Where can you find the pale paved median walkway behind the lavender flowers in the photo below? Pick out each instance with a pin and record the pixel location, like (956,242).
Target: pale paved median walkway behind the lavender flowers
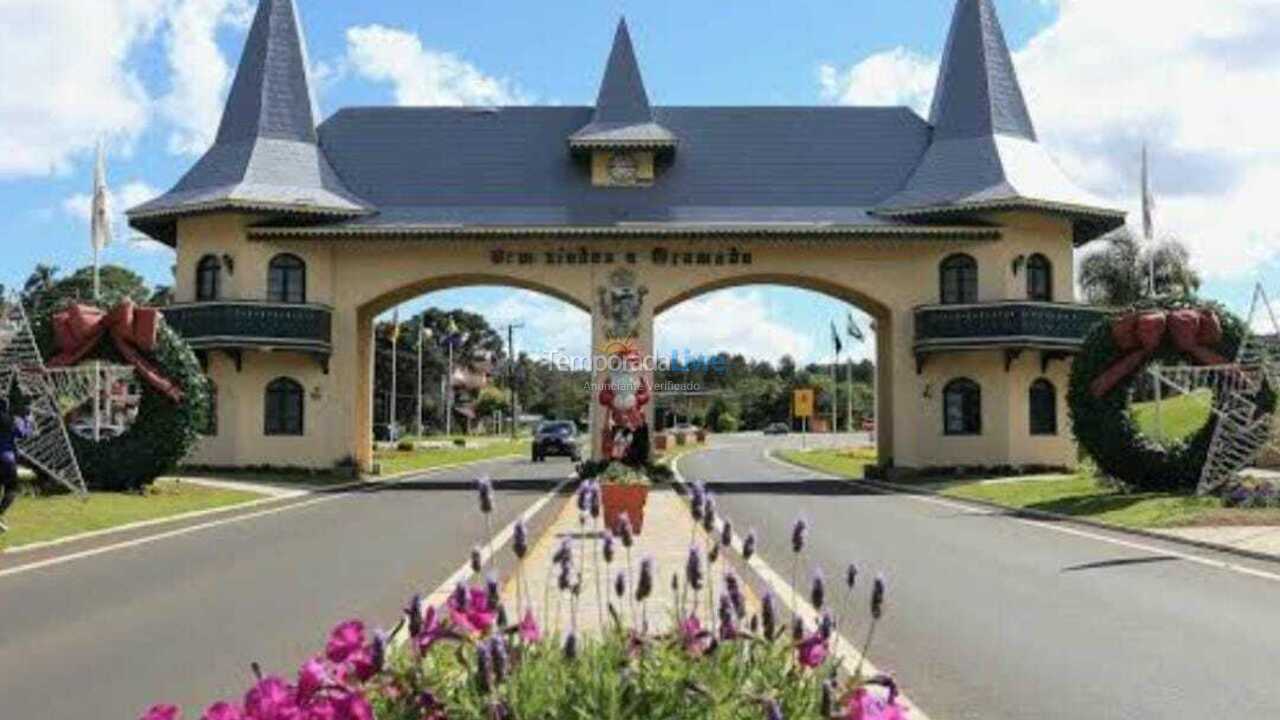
(669,532)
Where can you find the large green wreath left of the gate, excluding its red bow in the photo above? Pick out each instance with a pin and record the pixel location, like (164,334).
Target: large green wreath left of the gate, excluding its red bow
(163,432)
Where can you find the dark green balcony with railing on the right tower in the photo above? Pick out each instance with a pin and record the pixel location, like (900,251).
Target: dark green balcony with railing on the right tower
(1013,326)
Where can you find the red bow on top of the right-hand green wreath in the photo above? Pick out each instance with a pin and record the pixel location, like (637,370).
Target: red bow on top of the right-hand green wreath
(1139,335)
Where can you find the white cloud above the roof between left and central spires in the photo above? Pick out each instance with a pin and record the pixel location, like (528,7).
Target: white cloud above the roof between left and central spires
(422,76)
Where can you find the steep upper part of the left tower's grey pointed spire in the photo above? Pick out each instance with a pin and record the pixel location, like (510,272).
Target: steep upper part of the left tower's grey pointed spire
(271,97)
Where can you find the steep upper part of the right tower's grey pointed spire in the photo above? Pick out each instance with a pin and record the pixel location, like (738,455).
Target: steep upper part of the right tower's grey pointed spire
(979,92)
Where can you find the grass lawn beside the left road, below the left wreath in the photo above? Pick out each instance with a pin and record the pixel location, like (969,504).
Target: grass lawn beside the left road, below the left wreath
(38,520)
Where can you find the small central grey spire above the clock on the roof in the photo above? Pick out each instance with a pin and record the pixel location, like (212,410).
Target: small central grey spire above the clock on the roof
(623,113)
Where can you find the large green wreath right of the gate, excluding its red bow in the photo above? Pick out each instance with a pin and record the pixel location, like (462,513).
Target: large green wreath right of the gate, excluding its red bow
(1105,429)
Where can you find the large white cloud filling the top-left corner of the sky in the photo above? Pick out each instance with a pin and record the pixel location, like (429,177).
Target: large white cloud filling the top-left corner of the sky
(67,81)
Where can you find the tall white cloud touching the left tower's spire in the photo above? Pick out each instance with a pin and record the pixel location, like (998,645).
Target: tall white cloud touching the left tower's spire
(202,75)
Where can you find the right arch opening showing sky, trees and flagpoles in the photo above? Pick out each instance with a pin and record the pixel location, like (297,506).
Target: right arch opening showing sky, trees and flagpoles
(738,349)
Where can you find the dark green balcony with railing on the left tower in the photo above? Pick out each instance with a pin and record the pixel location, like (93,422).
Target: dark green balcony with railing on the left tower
(237,325)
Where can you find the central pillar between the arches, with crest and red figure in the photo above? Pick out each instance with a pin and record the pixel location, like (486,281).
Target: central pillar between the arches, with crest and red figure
(623,377)
